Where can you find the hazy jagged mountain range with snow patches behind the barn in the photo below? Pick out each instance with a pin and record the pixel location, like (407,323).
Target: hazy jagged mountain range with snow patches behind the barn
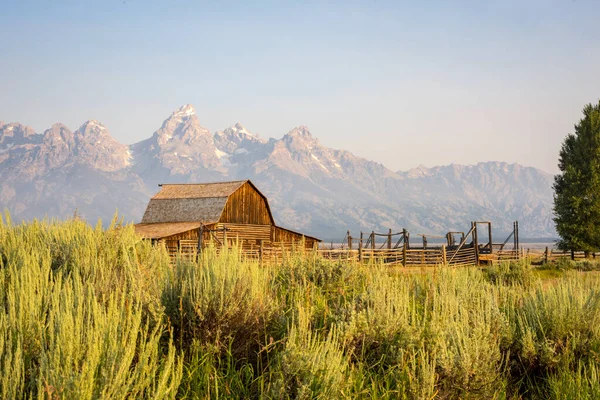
(311,188)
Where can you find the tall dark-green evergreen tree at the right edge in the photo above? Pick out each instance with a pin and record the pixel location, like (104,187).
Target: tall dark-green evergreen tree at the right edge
(577,187)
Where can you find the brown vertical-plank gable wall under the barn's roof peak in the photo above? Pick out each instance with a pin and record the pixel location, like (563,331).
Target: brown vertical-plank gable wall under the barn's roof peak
(246,206)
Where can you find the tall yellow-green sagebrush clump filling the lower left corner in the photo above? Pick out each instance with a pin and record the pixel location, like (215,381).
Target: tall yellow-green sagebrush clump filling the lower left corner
(62,334)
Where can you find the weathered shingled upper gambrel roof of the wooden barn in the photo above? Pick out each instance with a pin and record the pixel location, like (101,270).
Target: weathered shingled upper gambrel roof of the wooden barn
(195,202)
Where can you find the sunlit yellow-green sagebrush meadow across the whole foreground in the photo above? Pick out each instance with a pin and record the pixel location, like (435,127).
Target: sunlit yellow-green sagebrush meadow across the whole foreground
(88,312)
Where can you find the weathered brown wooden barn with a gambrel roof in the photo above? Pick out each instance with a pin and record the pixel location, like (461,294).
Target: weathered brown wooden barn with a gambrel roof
(189,216)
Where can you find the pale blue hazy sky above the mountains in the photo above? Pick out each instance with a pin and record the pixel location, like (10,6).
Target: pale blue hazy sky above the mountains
(402,83)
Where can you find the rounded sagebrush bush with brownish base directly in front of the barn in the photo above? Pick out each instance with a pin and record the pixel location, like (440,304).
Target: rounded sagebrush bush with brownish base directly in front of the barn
(220,300)
